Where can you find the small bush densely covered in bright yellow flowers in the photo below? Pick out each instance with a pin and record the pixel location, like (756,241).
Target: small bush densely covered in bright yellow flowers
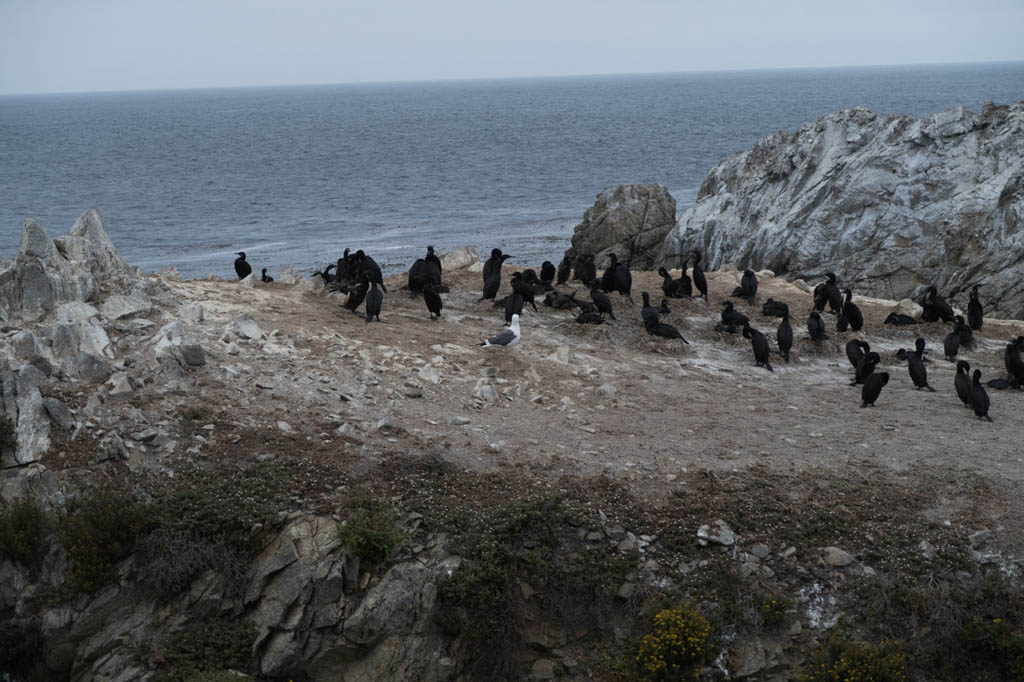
(678,644)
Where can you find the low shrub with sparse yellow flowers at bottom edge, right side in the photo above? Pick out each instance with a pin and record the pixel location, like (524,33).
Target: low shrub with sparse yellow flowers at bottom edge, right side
(841,660)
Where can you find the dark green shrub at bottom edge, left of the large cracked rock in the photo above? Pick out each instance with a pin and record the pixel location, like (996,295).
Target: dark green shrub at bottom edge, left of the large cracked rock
(205,651)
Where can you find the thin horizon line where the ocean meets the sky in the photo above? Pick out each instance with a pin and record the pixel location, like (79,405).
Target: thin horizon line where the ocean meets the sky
(505,78)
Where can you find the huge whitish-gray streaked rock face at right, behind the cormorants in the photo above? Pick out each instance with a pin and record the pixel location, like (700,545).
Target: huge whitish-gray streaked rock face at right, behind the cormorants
(889,204)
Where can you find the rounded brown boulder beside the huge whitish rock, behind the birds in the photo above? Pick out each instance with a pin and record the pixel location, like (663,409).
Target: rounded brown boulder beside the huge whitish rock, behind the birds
(630,221)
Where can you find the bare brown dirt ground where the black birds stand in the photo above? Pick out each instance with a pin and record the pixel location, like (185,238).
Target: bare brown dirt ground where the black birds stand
(575,401)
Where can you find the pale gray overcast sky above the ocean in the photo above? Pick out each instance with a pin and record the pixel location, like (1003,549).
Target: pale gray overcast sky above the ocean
(84,46)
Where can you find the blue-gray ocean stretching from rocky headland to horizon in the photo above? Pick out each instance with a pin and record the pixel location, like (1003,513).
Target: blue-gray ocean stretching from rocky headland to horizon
(293,176)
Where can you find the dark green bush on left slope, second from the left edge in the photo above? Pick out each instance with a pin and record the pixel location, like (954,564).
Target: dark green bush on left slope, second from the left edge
(100,535)
